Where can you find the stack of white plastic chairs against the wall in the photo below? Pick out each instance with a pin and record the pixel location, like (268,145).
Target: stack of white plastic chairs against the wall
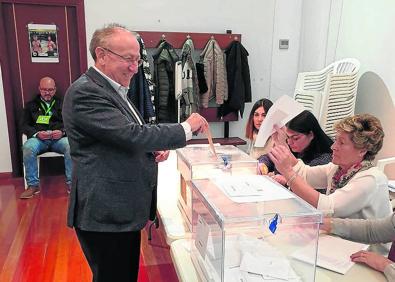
(330,93)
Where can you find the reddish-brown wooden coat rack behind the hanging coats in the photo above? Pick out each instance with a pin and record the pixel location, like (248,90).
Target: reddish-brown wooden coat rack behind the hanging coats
(177,39)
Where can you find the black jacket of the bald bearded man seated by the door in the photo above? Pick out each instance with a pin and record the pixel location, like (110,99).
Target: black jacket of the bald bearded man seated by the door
(31,112)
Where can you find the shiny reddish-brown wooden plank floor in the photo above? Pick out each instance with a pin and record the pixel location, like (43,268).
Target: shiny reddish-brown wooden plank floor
(36,244)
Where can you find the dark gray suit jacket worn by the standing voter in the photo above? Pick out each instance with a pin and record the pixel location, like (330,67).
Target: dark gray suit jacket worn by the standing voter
(114,170)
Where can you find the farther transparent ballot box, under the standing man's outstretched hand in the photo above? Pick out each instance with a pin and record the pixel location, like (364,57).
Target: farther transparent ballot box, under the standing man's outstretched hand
(197,162)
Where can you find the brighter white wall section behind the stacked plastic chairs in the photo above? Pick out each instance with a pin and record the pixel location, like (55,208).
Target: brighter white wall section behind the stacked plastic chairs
(362,29)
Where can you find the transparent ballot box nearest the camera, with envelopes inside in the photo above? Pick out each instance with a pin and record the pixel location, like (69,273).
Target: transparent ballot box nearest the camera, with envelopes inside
(249,228)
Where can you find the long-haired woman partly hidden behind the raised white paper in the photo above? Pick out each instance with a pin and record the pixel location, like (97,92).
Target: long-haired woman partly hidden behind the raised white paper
(255,119)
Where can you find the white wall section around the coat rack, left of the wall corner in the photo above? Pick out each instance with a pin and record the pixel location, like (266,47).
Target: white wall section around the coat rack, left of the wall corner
(254,21)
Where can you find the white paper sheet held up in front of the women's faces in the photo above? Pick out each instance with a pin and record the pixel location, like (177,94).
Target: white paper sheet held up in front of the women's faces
(282,111)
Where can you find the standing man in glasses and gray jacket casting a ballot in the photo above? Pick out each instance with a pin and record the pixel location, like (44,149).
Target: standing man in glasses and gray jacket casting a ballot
(115,157)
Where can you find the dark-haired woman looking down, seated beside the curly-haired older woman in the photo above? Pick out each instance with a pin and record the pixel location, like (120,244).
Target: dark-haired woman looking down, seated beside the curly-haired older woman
(307,141)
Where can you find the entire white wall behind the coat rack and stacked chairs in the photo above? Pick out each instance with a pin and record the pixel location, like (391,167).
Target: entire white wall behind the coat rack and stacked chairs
(319,32)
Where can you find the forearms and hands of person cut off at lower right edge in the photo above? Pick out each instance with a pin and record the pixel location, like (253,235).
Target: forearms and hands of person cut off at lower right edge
(370,231)
